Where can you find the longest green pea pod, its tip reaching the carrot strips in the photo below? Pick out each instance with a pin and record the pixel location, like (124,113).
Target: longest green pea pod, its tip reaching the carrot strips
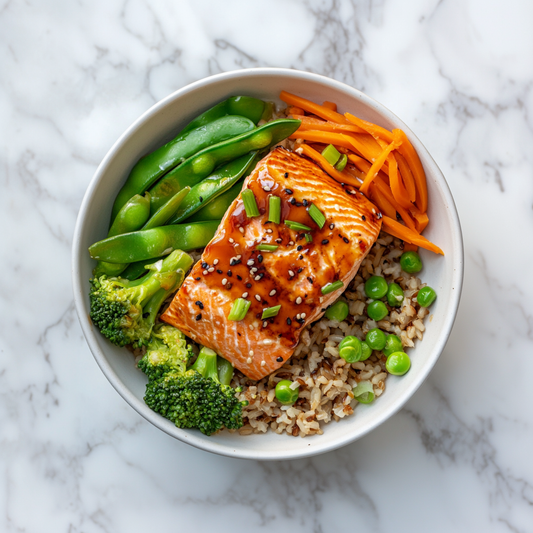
(199,166)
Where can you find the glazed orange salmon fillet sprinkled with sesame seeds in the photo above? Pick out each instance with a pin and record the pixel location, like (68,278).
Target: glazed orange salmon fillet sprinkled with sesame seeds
(292,276)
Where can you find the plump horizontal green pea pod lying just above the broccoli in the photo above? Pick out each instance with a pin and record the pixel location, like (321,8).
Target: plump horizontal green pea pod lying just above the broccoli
(147,244)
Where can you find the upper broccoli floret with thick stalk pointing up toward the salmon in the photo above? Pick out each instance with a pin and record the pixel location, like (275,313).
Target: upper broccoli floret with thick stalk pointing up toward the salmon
(125,311)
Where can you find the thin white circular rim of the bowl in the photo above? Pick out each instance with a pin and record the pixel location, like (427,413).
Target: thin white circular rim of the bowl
(187,436)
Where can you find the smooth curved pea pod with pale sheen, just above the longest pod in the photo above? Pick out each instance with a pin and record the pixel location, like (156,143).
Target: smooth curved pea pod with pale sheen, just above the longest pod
(154,165)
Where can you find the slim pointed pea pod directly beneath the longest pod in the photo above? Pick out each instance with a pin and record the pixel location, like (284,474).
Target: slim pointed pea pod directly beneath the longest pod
(216,184)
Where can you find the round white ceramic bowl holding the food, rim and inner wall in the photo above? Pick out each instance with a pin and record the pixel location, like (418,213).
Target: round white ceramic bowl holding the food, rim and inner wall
(158,125)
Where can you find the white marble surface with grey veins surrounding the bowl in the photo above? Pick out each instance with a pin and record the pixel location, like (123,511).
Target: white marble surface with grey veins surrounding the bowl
(75,457)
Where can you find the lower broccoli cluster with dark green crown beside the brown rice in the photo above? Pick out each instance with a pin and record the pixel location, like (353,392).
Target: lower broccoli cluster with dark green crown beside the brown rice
(191,397)
